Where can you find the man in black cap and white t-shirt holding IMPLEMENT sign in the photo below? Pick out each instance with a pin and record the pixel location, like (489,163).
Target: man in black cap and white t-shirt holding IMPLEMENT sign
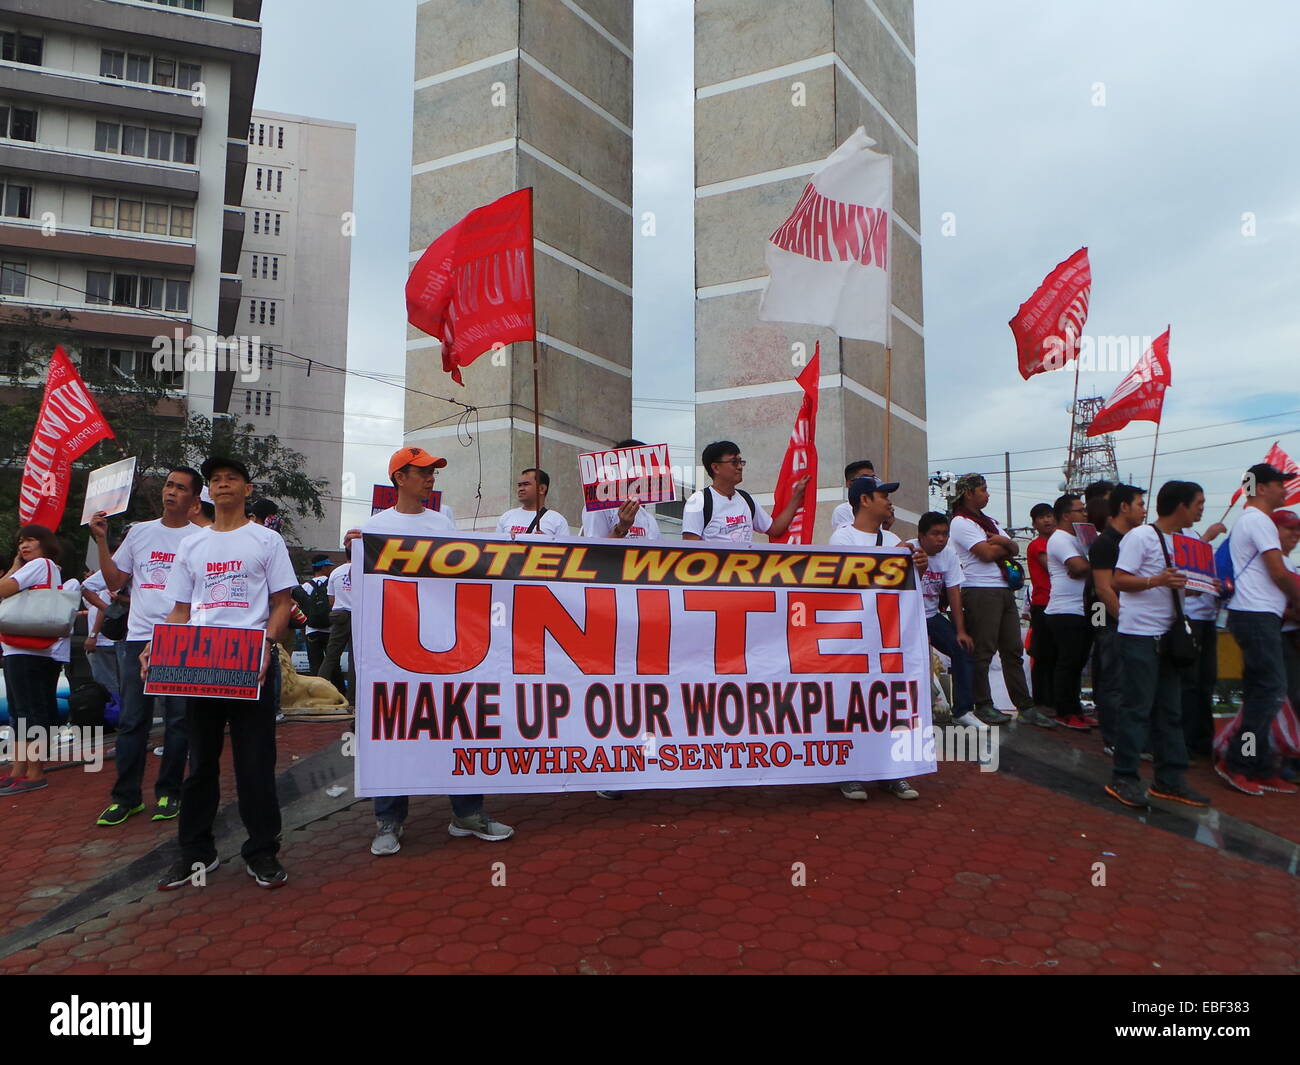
(235,574)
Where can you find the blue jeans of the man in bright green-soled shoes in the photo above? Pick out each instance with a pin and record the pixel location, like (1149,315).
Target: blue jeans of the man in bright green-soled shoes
(133,733)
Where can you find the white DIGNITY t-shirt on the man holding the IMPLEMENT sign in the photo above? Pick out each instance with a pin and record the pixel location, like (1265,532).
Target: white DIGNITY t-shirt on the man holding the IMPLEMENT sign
(228,578)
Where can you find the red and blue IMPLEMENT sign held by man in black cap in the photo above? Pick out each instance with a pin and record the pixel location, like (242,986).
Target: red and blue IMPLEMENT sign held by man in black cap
(206,661)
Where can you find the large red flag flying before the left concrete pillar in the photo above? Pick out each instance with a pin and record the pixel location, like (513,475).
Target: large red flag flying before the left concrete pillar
(474,287)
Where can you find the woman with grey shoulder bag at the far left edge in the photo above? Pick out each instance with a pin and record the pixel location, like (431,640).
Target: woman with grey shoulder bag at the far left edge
(32,664)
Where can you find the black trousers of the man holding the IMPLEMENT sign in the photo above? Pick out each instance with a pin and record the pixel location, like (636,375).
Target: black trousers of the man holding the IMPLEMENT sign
(253,743)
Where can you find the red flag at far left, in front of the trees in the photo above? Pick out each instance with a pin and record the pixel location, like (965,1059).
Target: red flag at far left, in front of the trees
(70,425)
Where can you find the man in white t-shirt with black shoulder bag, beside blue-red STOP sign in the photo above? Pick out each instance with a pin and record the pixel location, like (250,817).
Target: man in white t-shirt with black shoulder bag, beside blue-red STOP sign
(1151,704)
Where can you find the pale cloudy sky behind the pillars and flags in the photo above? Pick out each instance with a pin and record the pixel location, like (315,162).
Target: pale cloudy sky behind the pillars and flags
(1156,135)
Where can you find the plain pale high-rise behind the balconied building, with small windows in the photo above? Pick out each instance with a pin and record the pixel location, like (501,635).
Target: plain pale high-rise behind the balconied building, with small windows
(297,252)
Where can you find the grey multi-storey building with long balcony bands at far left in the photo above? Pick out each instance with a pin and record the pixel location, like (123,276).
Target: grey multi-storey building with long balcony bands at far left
(123,153)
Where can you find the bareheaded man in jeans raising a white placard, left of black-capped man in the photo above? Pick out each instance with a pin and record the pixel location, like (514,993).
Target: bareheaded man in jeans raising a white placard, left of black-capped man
(146,557)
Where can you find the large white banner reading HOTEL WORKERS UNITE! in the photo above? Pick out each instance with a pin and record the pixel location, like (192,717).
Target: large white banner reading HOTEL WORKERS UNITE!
(501,666)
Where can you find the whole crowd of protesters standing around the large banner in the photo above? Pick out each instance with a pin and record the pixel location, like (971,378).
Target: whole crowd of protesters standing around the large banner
(1103,591)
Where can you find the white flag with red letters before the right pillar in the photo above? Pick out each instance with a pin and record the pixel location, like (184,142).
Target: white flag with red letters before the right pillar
(830,261)
